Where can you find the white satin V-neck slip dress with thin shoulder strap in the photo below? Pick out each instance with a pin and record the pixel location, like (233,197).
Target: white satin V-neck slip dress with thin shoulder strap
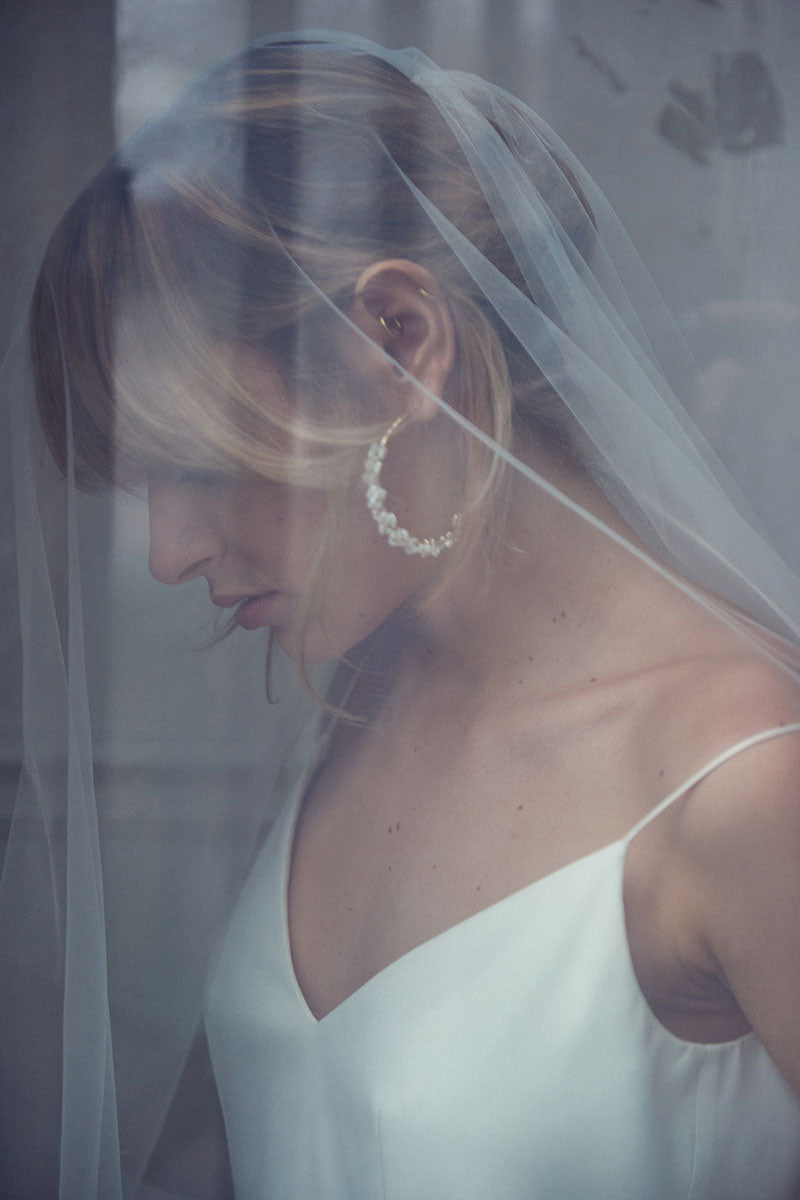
(510,1058)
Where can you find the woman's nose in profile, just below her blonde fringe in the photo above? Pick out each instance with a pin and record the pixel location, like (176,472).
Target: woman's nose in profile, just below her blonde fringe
(184,543)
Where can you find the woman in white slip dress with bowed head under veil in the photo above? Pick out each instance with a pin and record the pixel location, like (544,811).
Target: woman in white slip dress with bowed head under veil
(526,925)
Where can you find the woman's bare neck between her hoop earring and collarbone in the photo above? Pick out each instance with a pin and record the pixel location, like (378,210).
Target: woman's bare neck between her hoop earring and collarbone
(552,601)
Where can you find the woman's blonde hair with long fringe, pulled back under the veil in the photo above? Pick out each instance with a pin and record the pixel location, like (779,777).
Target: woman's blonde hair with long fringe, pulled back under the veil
(244,217)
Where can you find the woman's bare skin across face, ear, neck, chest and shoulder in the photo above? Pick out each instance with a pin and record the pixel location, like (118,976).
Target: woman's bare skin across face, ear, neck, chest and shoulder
(530,721)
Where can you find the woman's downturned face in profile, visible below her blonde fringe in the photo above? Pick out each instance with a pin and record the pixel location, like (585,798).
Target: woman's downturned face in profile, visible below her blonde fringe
(255,543)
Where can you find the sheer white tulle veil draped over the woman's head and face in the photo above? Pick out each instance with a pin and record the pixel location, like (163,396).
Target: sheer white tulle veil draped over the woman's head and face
(239,225)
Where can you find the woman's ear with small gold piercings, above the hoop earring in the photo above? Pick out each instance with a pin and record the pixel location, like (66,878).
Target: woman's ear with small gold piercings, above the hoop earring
(400,307)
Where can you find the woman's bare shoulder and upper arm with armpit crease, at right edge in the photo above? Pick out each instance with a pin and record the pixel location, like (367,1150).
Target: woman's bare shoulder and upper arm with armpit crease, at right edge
(718,877)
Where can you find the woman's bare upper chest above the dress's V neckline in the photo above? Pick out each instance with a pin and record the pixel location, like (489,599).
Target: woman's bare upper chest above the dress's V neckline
(394,848)
